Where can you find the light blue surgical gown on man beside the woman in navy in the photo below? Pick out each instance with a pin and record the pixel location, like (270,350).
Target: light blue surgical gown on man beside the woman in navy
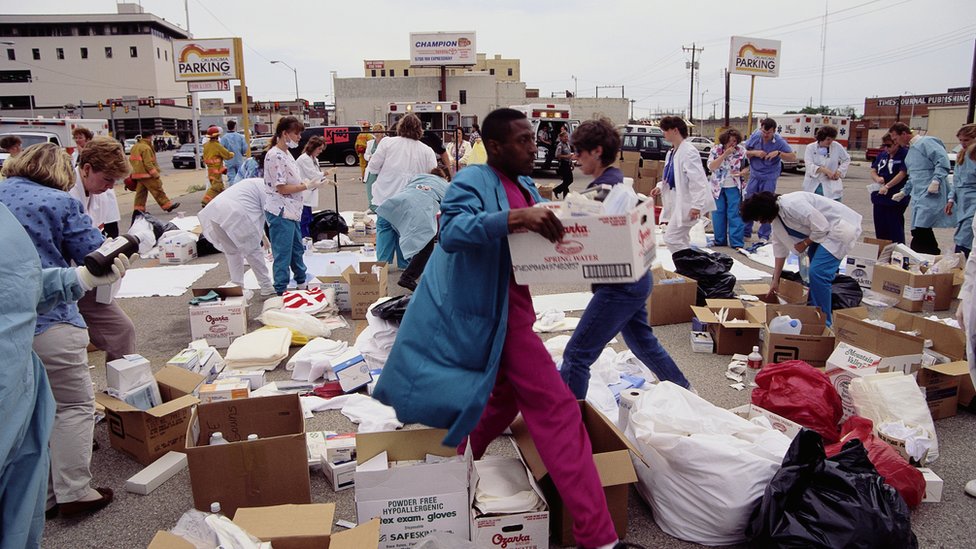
(926,162)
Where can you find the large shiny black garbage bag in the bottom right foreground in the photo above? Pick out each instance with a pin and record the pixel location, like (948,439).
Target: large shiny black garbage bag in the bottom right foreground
(815,502)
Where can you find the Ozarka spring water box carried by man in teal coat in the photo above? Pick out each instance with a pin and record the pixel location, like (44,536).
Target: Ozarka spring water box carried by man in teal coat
(594,249)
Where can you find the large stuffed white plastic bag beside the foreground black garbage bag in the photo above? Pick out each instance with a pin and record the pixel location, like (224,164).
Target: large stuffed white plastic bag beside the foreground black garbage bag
(706,467)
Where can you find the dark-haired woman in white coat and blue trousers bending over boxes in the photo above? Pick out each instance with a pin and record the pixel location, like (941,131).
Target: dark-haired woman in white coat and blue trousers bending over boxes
(806,222)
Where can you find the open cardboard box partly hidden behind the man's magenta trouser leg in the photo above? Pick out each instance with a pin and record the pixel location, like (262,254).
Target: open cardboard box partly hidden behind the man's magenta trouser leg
(611,455)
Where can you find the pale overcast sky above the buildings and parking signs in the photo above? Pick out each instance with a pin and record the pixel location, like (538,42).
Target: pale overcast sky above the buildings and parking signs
(873,48)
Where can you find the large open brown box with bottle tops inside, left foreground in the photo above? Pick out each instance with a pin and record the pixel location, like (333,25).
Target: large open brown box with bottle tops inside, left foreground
(272,470)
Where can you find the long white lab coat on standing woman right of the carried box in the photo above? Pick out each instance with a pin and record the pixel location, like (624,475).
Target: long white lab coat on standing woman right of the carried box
(691,191)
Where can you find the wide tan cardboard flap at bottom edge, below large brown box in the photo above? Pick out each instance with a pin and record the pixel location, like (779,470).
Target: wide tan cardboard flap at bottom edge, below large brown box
(312,520)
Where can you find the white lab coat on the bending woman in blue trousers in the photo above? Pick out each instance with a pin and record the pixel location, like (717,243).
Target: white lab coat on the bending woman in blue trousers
(825,221)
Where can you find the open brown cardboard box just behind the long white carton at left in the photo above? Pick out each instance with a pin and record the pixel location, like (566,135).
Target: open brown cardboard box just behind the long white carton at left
(145,436)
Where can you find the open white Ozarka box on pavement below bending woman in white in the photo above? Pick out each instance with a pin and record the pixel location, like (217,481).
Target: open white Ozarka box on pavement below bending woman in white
(222,320)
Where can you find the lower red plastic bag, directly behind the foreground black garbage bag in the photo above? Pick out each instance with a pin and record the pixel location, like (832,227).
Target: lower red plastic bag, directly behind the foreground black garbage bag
(897,472)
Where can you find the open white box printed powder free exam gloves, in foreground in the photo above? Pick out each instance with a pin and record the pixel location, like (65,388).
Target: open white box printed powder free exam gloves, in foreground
(413,484)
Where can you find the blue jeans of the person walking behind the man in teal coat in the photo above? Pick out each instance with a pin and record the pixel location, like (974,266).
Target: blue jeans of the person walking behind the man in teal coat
(616,308)
